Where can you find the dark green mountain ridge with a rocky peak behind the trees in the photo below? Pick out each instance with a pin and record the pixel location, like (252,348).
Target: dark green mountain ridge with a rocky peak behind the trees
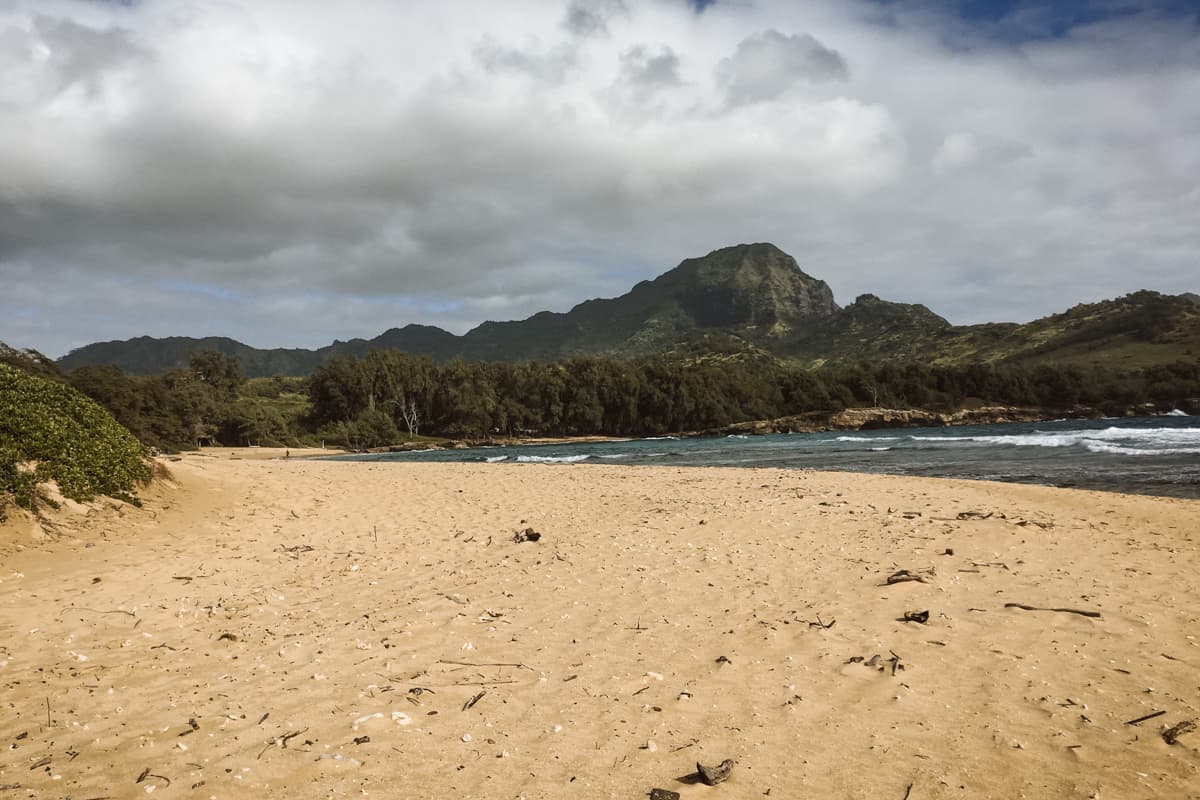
(752,298)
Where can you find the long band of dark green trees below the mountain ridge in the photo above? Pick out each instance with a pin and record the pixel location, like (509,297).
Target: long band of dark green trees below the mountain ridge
(388,396)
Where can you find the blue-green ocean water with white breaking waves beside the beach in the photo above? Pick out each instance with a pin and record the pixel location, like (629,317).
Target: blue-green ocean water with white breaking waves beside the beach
(1156,455)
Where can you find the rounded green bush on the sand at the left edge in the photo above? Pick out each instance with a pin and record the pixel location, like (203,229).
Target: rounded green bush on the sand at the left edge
(51,432)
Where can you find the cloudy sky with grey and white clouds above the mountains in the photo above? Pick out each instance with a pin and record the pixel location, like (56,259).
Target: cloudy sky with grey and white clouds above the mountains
(291,172)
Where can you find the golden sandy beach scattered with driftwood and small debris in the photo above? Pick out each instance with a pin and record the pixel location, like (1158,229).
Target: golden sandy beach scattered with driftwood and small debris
(305,629)
